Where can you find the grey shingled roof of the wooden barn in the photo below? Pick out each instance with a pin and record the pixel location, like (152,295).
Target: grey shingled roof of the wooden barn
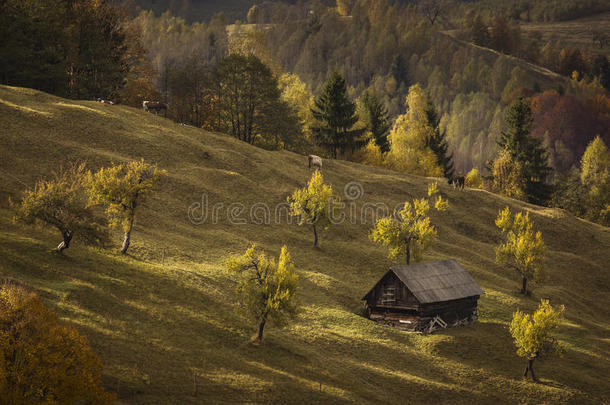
(443,280)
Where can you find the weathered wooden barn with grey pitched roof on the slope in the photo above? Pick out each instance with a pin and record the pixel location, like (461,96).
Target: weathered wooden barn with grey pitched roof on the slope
(424,296)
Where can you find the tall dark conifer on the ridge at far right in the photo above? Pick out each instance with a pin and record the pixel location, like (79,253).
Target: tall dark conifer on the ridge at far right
(527,150)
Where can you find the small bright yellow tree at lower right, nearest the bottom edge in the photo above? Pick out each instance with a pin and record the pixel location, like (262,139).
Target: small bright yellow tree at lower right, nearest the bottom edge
(534,334)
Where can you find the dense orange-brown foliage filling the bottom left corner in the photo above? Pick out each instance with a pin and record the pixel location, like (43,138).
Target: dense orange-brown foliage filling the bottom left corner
(42,360)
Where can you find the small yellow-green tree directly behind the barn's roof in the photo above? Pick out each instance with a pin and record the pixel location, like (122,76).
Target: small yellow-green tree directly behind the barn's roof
(409,230)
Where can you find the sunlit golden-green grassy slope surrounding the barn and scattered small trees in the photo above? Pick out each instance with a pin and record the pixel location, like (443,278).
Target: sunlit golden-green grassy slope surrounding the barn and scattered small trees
(170,334)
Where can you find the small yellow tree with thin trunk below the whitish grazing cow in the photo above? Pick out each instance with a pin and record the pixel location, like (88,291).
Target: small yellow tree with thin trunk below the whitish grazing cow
(312,203)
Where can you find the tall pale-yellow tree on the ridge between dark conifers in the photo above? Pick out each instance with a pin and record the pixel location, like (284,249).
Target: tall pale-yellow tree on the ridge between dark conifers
(408,150)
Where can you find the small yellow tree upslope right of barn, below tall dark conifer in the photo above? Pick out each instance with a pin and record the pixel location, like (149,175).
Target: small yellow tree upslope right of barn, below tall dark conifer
(521,247)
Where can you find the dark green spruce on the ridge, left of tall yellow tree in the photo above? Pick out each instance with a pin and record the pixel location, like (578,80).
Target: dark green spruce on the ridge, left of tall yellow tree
(336,115)
